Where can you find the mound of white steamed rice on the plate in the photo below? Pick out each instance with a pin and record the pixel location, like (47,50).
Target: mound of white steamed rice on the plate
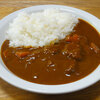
(41,28)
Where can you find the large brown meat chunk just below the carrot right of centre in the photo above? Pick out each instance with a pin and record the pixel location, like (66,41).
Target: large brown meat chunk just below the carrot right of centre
(72,50)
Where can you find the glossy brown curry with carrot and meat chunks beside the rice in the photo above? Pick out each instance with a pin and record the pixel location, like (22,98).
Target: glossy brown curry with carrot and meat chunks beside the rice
(69,60)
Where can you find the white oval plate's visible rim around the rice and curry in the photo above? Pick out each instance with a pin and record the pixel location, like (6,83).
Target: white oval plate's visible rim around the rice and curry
(48,89)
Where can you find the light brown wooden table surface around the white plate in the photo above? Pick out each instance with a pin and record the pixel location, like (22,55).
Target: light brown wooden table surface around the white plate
(8,92)
